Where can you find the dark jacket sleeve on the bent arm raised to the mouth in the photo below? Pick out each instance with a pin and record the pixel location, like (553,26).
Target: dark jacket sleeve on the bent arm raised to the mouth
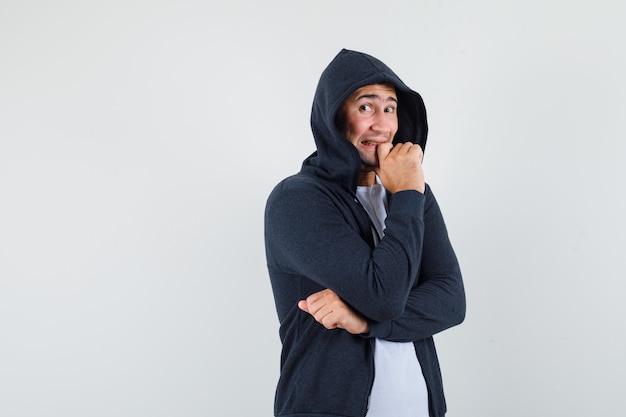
(311,233)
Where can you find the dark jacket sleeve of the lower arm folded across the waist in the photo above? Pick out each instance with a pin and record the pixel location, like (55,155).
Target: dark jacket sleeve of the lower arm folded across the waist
(437,301)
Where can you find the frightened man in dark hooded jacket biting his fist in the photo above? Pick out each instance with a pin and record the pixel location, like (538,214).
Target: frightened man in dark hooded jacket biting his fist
(361,266)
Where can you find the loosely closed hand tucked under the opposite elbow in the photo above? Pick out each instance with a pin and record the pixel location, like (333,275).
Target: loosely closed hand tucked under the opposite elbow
(330,311)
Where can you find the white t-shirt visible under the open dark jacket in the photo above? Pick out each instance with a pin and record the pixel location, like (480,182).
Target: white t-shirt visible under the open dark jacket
(399,388)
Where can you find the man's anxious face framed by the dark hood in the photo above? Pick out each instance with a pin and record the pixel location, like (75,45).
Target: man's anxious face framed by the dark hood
(368,118)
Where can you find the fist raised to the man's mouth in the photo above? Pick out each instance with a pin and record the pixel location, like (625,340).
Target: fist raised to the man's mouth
(400,167)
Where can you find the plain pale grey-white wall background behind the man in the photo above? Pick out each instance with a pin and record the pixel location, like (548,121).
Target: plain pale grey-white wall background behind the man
(140,139)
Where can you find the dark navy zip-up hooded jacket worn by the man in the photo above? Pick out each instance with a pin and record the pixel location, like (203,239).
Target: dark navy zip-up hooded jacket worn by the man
(318,236)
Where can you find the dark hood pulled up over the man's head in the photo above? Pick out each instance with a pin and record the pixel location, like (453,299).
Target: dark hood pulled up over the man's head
(336,159)
